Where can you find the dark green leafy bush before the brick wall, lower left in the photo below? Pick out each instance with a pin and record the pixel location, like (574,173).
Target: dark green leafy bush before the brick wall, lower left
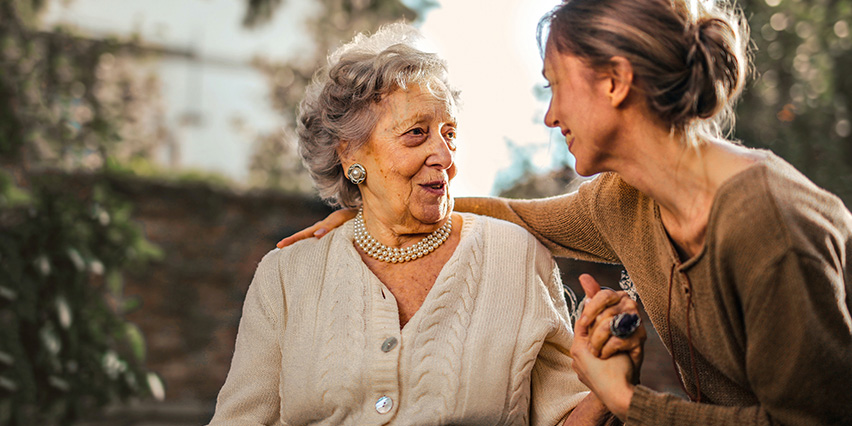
(65,347)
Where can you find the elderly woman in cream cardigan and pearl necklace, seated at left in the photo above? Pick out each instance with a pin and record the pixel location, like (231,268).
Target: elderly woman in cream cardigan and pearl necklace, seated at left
(408,314)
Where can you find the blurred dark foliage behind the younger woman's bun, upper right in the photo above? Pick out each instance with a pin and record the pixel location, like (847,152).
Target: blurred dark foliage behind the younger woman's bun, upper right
(799,104)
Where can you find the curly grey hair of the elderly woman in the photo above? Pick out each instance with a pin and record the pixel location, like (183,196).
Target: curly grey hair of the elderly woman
(339,102)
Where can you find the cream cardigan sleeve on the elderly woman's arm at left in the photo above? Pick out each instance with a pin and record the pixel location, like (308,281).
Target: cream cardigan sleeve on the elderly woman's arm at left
(250,395)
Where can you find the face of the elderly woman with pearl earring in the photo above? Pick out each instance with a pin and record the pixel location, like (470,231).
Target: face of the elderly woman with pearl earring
(409,159)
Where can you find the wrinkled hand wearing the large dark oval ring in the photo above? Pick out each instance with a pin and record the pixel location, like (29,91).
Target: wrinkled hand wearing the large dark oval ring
(600,307)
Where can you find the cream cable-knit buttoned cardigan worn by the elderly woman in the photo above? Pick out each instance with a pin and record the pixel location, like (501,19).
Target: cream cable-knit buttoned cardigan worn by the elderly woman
(489,345)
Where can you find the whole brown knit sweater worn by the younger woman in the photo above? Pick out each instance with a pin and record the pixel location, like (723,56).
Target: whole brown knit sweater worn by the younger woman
(770,292)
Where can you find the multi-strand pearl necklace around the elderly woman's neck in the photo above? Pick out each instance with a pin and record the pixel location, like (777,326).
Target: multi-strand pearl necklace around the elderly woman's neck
(383,253)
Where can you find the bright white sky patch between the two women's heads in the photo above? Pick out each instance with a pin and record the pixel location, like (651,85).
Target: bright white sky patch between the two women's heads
(494,60)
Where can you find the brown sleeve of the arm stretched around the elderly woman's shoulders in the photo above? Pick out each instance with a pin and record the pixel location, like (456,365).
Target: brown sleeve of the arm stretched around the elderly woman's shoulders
(564,224)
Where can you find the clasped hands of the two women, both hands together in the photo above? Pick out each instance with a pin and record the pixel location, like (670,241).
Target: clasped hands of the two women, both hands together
(609,366)
